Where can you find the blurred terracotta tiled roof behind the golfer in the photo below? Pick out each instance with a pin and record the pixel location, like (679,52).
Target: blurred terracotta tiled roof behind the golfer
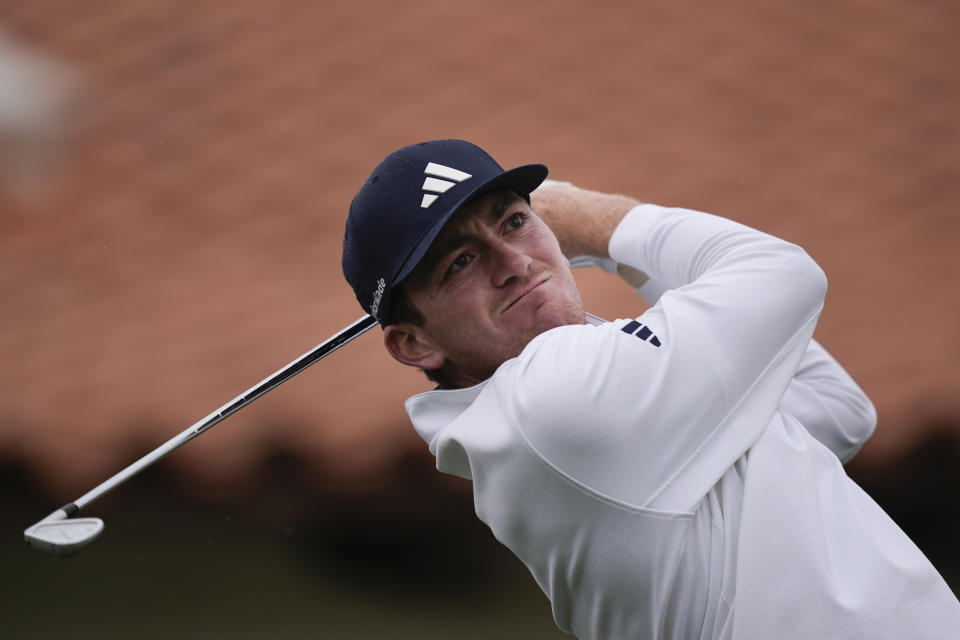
(188,242)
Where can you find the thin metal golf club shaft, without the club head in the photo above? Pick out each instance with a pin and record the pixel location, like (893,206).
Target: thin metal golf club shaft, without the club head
(356,329)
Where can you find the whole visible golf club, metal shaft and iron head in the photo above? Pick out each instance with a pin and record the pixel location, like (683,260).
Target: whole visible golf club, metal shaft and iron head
(61,534)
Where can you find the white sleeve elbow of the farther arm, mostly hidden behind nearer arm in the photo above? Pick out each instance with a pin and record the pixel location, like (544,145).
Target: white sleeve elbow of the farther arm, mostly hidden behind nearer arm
(827,401)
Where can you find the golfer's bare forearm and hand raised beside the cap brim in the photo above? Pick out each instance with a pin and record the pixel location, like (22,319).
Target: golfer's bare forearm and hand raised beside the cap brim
(582,220)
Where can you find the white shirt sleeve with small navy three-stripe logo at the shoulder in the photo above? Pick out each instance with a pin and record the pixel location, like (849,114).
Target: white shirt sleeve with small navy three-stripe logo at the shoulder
(652,411)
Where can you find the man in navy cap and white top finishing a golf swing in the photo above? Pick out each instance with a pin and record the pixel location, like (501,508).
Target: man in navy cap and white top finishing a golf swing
(674,475)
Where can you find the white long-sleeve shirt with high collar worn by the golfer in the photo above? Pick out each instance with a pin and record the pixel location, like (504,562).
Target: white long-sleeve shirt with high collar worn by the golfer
(655,474)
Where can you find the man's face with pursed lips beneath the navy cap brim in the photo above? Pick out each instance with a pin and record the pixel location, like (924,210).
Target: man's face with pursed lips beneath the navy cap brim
(492,281)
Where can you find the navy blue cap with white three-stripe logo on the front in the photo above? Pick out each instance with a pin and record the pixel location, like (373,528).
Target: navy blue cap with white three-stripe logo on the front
(404,204)
